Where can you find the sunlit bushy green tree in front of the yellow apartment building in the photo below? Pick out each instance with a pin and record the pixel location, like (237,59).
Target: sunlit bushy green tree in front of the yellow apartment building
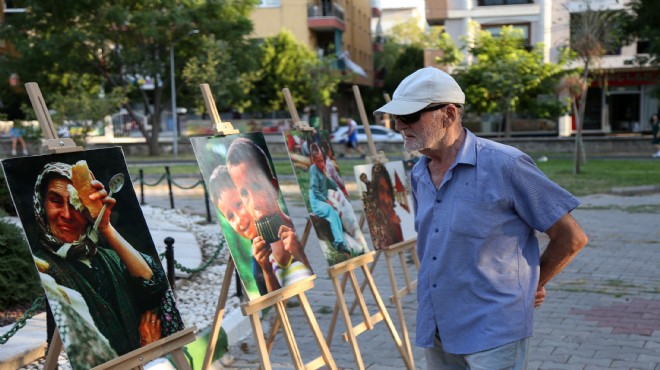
(285,62)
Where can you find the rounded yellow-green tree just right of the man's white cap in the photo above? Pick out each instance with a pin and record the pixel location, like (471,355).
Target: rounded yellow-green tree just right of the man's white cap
(506,77)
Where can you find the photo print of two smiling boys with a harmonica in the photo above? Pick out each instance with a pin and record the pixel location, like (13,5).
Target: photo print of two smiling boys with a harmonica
(243,186)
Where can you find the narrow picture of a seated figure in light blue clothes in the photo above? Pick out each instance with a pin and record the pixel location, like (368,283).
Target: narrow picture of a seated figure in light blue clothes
(325,195)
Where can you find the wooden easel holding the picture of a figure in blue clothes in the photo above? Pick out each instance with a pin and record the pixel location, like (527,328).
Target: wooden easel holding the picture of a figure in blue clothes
(346,270)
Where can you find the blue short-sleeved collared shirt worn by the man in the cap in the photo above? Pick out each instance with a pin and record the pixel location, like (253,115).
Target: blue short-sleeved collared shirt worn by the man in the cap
(477,245)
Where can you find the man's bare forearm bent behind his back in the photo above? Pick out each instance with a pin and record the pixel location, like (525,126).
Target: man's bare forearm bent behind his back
(566,239)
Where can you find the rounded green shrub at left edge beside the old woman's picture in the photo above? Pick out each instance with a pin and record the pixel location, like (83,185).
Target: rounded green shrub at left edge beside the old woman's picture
(19,281)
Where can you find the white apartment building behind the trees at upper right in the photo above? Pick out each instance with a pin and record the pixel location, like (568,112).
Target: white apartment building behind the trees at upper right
(620,98)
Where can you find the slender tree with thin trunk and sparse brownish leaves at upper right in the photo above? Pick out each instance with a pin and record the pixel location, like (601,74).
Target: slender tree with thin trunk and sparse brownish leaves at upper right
(593,33)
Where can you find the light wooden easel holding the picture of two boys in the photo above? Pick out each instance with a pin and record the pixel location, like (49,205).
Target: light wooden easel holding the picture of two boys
(277,298)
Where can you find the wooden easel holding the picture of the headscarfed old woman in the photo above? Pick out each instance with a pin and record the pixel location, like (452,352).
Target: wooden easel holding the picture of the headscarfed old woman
(172,344)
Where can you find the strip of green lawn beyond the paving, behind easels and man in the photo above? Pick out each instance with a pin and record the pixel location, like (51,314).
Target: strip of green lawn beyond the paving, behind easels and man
(597,175)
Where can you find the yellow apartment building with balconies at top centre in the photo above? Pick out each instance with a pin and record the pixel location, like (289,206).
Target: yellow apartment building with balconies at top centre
(342,24)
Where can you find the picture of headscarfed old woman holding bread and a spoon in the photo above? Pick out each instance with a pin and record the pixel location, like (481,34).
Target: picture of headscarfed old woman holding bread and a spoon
(96,259)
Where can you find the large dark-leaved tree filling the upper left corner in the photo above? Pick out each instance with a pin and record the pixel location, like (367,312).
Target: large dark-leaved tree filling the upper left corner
(121,42)
